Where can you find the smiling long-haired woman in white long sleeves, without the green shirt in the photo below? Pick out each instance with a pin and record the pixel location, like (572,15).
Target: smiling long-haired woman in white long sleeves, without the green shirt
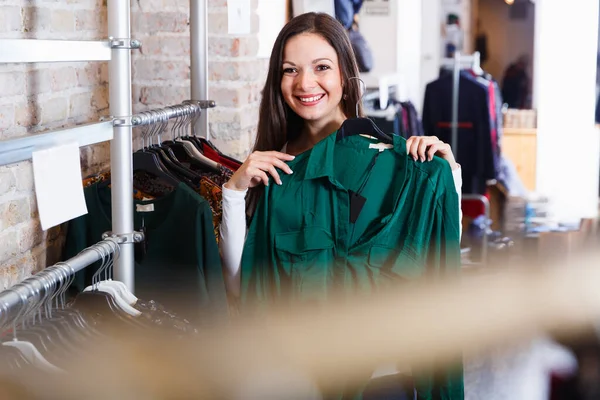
(307,97)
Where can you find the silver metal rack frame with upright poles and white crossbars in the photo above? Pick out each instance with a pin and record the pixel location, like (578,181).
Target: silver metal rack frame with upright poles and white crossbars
(117,51)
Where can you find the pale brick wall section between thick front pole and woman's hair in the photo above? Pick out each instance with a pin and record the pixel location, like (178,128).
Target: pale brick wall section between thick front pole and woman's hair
(161,70)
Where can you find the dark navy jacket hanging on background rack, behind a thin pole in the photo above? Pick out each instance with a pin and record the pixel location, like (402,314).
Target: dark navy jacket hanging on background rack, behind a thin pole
(475,151)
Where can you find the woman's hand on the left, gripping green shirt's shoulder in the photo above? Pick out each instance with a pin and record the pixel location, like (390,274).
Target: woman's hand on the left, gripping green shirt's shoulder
(254,170)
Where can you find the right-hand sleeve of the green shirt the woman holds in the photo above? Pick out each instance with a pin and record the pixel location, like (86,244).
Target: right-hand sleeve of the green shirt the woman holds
(444,261)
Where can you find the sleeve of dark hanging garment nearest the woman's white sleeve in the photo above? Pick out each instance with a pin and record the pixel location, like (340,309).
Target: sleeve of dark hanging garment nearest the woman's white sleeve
(209,263)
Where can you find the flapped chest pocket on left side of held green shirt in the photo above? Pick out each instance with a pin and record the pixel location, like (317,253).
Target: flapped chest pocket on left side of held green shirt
(305,259)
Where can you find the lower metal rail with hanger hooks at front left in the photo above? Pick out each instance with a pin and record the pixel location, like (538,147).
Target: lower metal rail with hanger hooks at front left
(13,300)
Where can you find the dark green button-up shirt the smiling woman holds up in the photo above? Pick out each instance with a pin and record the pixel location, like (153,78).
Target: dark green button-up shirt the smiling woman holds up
(302,246)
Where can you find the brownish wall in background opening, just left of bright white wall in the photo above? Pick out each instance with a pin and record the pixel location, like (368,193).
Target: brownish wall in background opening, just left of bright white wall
(507,38)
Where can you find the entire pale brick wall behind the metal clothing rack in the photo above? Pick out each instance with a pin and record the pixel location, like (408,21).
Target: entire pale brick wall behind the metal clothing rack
(38,97)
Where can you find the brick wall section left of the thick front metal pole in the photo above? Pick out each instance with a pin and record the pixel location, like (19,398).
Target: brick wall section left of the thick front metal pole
(38,97)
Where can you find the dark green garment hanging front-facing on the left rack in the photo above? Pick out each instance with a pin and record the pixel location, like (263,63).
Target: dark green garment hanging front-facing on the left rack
(181,267)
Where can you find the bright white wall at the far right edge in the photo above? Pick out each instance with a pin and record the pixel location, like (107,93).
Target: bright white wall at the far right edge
(564,91)
